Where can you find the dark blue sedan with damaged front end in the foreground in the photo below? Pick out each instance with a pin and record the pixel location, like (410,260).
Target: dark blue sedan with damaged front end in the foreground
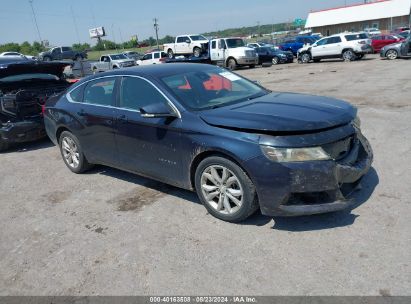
(200,127)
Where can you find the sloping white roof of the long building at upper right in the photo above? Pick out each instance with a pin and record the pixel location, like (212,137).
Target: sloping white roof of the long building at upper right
(359,12)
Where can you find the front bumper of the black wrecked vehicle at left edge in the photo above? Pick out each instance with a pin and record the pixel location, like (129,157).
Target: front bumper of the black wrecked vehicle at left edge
(22,131)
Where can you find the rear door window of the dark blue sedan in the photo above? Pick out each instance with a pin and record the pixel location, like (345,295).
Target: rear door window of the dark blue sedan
(100,92)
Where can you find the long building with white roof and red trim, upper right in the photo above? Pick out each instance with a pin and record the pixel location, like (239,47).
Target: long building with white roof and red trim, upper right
(383,14)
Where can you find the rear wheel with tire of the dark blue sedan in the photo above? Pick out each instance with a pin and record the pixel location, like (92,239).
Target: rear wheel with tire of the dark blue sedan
(72,153)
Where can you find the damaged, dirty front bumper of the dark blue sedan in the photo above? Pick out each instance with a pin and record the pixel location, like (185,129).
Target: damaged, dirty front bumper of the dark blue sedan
(314,187)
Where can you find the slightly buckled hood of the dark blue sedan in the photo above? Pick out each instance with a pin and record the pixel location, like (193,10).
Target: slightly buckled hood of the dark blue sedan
(282,112)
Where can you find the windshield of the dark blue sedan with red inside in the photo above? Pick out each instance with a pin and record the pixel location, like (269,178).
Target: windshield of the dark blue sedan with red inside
(211,88)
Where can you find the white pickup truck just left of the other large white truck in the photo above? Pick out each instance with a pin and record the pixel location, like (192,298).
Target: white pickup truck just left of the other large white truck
(187,45)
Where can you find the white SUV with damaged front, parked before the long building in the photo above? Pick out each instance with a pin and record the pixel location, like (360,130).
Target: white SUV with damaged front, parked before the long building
(347,46)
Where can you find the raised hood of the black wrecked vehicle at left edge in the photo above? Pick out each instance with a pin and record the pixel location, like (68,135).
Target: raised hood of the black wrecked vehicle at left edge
(12,68)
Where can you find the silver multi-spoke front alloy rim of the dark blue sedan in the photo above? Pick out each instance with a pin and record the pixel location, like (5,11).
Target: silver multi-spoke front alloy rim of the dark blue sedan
(222,189)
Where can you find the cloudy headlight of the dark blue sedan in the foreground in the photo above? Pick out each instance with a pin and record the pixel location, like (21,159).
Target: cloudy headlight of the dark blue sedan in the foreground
(283,155)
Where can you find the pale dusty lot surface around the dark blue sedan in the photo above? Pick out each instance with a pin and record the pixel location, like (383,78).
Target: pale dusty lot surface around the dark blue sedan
(112,233)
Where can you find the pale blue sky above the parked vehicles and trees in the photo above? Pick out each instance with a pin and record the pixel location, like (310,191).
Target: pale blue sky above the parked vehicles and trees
(124,18)
